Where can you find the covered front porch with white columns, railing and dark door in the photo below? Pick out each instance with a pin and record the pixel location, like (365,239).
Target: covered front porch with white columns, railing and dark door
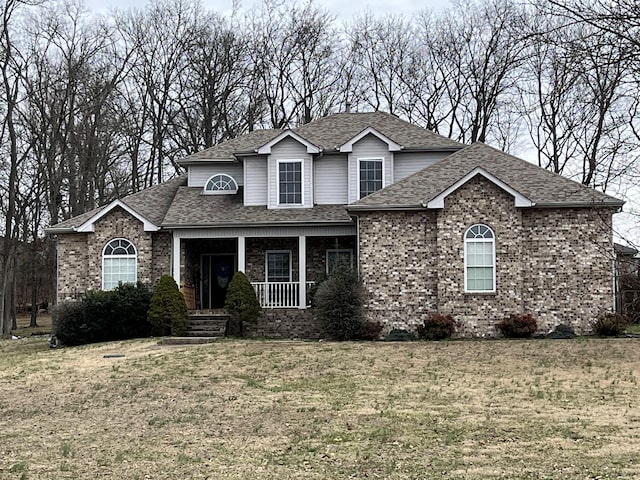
(282,268)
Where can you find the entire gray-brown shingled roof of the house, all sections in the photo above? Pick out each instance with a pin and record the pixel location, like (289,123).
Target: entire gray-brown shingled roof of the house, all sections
(173,204)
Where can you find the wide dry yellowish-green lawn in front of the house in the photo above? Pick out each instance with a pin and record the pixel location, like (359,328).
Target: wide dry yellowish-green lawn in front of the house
(277,410)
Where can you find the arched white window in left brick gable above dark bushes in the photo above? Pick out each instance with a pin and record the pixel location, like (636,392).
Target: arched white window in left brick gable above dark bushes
(119,263)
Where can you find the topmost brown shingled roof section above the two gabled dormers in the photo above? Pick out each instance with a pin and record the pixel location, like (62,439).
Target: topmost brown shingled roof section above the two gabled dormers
(330,132)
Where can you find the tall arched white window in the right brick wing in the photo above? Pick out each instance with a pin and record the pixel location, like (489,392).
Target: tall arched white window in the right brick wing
(479,259)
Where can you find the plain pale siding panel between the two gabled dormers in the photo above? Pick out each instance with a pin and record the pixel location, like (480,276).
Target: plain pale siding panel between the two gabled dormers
(330,175)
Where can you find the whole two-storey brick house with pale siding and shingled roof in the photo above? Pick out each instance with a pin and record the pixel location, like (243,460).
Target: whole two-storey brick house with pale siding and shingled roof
(431,225)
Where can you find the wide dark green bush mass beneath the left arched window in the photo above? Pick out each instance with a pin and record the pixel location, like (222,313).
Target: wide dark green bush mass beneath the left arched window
(100,316)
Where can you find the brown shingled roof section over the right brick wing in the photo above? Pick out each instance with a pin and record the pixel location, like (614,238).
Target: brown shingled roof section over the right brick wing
(543,188)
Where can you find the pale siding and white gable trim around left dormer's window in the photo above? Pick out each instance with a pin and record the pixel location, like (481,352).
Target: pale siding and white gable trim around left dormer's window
(290,149)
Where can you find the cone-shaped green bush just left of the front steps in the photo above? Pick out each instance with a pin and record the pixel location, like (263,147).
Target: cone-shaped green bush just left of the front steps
(168,313)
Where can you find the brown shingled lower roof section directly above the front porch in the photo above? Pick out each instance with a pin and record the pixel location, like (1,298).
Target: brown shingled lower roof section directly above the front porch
(191,207)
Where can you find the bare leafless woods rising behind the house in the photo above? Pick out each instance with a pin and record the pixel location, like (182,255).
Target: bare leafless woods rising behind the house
(93,107)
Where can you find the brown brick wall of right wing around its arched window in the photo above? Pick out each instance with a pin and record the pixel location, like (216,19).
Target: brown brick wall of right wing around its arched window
(553,263)
